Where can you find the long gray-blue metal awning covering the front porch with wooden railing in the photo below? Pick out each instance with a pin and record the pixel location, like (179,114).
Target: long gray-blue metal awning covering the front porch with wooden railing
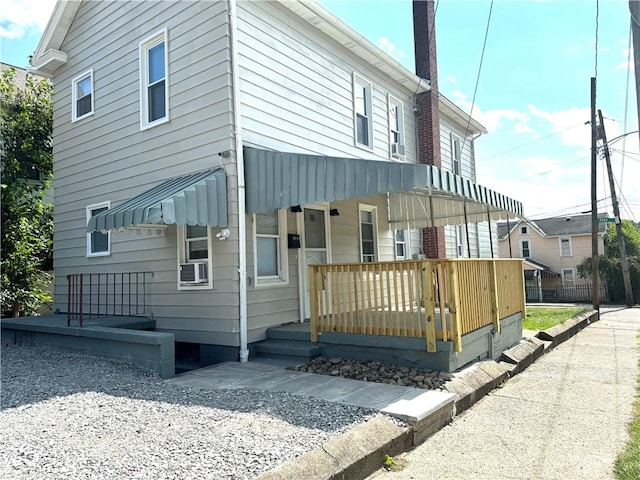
(419,195)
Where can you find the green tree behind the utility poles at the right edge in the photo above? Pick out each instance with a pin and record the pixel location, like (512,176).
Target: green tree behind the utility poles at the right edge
(610,268)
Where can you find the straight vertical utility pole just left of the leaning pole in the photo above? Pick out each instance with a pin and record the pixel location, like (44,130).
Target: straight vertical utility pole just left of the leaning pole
(595,256)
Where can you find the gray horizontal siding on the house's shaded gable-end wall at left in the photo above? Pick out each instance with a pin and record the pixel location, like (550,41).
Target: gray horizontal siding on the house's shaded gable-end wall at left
(106,157)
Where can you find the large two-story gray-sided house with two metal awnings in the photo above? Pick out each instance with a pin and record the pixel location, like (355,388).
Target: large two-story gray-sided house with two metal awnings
(223,146)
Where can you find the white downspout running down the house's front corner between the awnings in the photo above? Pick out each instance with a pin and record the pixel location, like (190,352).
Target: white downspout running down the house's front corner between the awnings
(242,227)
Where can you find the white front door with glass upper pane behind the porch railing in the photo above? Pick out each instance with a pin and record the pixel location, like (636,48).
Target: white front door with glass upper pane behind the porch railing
(315,245)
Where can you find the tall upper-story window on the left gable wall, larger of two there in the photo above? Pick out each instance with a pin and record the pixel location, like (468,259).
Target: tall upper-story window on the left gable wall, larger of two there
(154,85)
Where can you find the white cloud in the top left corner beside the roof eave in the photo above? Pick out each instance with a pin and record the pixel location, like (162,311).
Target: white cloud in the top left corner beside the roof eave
(21,17)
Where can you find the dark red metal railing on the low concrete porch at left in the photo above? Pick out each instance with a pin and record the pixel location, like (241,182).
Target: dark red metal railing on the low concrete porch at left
(91,295)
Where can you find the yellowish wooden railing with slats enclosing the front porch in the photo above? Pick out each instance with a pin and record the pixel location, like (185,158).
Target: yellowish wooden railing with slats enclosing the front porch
(430,299)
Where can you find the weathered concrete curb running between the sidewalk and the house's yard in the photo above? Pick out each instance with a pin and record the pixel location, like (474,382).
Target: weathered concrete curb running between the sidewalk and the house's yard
(360,451)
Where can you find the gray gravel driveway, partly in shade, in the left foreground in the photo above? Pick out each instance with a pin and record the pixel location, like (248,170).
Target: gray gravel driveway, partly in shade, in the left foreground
(69,416)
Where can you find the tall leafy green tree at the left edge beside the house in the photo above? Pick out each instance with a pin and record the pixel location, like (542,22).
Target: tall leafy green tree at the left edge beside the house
(26,115)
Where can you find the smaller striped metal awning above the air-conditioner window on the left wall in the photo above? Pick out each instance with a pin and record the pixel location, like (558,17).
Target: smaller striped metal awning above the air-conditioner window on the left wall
(196,199)
